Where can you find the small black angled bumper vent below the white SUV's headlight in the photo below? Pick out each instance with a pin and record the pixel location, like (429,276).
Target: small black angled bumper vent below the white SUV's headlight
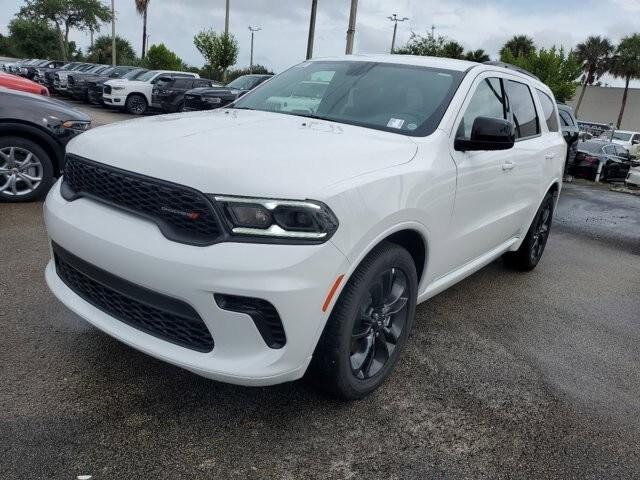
(264,315)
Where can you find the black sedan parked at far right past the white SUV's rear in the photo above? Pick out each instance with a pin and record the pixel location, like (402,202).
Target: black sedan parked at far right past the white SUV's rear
(611,160)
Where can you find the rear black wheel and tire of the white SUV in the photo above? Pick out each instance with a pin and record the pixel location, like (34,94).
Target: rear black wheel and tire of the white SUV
(530,252)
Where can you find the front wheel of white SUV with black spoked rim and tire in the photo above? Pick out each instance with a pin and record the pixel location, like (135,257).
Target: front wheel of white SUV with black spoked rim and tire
(343,364)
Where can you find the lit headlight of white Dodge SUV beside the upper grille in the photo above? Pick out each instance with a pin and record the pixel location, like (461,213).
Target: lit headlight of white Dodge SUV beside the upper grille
(284,220)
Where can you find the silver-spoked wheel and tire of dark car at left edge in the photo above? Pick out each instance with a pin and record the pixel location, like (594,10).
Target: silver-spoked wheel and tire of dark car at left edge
(17,182)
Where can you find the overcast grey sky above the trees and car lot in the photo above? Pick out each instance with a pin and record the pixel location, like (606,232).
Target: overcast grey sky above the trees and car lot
(282,41)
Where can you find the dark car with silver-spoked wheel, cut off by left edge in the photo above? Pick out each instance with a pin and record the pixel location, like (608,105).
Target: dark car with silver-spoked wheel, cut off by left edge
(34,130)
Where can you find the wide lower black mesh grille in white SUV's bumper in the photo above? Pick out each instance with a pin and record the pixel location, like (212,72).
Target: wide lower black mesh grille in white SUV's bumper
(163,317)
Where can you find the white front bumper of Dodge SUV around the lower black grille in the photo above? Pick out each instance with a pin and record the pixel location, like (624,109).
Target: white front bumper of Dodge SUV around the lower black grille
(295,279)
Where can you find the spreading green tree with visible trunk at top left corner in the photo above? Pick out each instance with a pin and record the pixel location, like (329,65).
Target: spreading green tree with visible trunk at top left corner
(65,15)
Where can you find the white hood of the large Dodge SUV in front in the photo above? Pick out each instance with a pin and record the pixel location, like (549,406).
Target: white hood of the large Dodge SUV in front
(242,152)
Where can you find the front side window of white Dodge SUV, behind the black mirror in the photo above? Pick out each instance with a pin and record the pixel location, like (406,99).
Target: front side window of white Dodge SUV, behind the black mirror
(487,101)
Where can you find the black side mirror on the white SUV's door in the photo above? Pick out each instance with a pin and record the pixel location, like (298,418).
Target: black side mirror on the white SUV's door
(488,133)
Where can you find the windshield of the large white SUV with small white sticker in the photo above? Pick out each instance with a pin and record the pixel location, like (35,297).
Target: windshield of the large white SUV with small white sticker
(403,99)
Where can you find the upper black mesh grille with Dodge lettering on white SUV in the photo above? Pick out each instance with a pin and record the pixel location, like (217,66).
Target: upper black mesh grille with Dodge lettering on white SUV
(183,214)
